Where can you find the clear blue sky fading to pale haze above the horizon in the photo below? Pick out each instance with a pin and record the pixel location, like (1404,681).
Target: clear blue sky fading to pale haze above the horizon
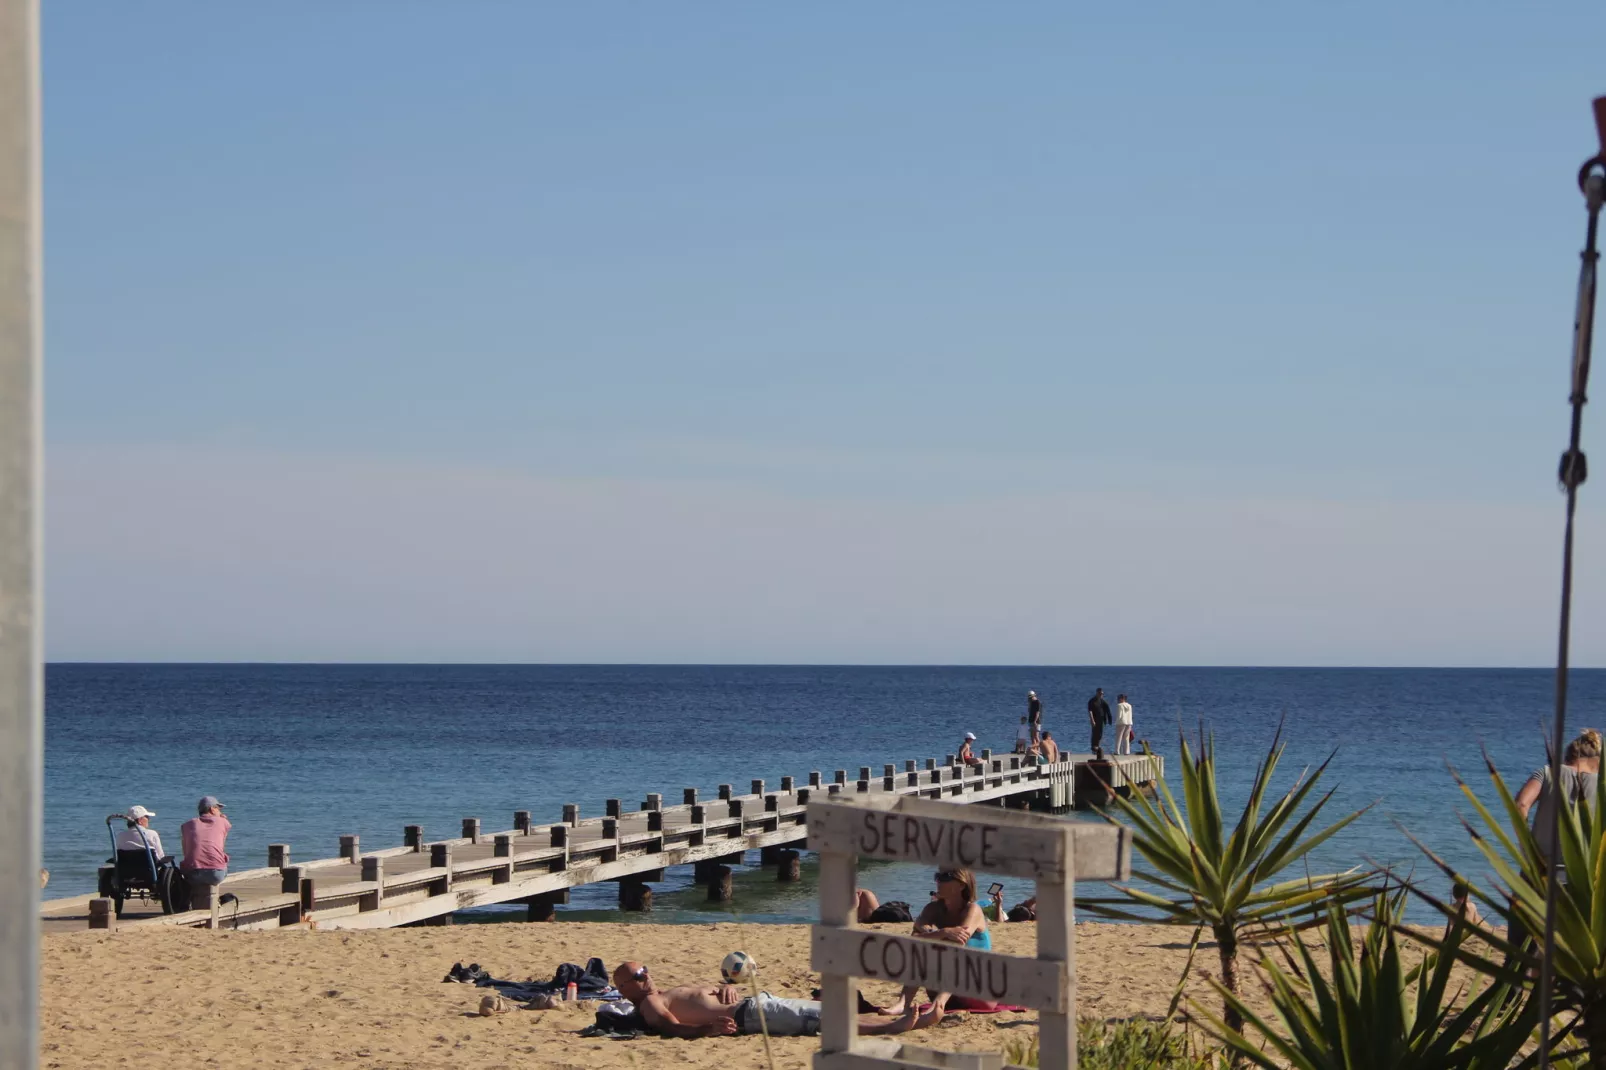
(854,333)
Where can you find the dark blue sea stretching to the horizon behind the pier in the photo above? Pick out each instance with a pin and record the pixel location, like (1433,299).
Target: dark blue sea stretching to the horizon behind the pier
(306,753)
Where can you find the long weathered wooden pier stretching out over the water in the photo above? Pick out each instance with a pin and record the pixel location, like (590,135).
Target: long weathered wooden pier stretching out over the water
(537,865)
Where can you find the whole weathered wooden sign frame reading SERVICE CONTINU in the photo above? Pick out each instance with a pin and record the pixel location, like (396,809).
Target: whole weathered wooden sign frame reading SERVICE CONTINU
(952,836)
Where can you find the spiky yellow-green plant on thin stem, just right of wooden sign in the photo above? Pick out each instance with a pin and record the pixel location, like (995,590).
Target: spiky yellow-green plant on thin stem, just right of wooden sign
(1223,881)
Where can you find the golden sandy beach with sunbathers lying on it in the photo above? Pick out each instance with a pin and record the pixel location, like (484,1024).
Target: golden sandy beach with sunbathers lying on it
(312,1000)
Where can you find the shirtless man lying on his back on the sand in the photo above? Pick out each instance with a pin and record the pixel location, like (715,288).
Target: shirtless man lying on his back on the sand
(693,1011)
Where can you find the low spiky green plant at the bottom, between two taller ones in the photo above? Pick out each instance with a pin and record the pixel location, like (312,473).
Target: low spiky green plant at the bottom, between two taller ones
(1374,1013)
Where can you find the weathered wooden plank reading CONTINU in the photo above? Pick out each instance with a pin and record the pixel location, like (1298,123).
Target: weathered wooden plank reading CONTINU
(940,966)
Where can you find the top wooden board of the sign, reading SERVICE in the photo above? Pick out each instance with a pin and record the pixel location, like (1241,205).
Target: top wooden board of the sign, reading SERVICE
(972,838)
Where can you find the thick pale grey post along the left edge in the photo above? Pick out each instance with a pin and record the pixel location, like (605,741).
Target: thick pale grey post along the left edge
(20,533)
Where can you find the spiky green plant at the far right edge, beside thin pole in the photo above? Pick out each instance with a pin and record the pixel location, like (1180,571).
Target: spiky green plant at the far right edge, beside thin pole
(1520,868)
